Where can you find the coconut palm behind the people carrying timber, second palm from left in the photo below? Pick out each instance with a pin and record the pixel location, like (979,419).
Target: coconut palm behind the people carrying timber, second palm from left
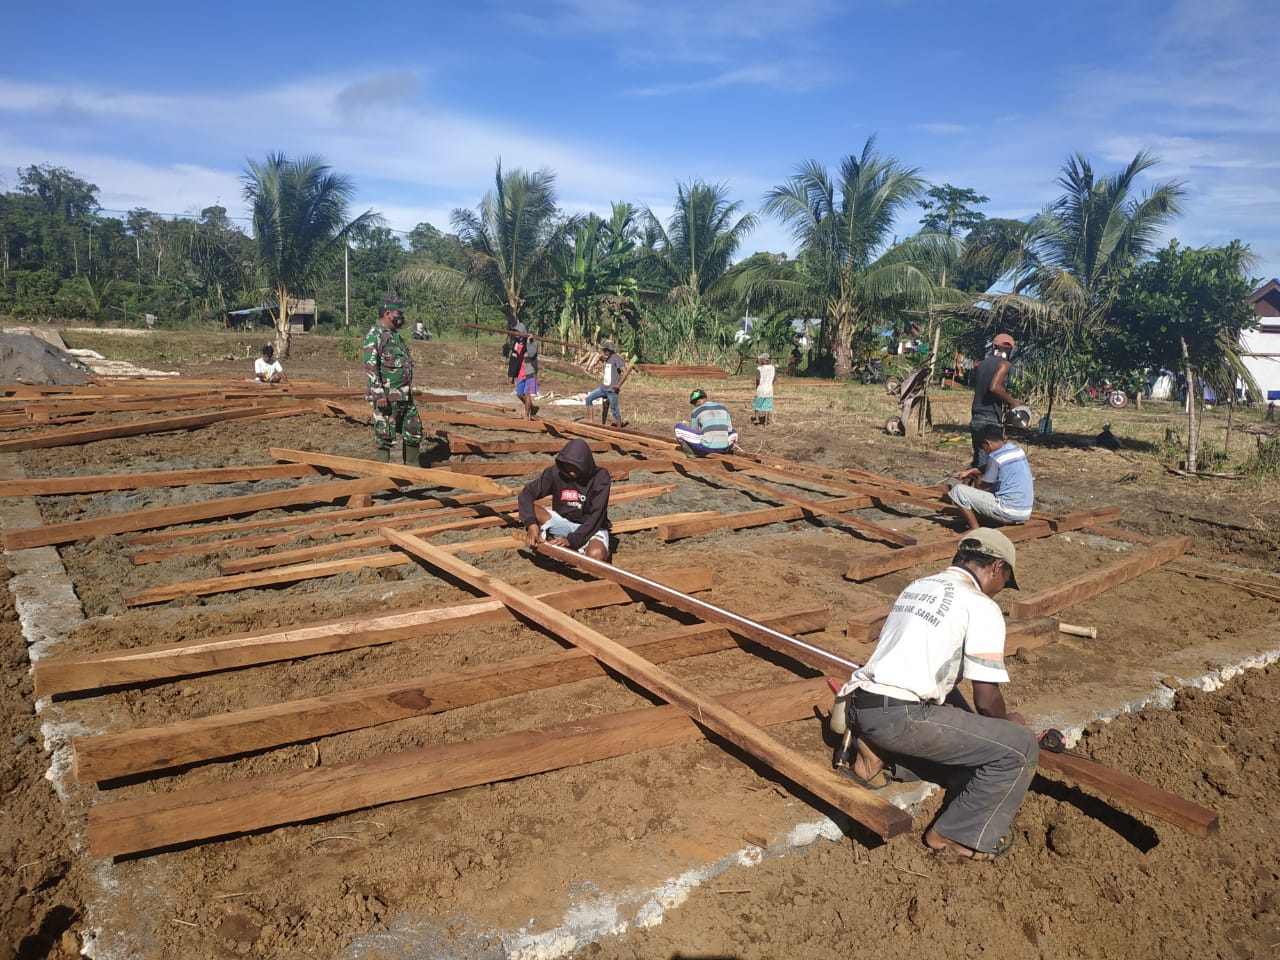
(509,240)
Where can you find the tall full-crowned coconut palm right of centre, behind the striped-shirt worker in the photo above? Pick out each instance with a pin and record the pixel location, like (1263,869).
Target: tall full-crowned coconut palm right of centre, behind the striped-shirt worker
(848,259)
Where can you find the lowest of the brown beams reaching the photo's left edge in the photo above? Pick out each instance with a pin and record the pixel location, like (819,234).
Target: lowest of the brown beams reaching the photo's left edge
(72,531)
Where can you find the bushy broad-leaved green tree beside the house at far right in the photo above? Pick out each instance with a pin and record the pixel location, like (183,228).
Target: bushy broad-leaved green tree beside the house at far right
(1186,309)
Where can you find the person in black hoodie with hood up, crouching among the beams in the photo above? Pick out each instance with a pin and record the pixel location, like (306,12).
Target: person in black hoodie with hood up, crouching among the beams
(580,504)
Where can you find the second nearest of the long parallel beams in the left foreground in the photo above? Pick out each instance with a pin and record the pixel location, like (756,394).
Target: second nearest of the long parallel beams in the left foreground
(145,751)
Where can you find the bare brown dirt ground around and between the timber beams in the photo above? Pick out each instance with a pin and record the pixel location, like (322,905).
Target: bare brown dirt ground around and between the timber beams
(688,852)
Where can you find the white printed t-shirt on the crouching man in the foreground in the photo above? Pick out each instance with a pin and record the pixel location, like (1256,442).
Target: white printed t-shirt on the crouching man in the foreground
(943,628)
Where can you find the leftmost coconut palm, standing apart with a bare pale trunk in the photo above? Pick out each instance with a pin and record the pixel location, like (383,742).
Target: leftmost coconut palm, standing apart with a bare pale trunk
(300,227)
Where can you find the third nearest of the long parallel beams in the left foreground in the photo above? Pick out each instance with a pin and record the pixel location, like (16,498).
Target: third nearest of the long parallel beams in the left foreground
(143,665)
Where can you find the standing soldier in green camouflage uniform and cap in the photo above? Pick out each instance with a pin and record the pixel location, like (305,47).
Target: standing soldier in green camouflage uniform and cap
(390,372)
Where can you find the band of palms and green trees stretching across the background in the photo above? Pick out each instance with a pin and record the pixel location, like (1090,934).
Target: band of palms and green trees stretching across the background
(1084,292)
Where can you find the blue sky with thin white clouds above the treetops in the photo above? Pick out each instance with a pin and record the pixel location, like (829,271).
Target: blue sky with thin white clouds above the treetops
(161,104)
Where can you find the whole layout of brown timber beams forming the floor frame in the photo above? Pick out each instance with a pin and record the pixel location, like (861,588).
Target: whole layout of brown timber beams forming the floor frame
(332,499)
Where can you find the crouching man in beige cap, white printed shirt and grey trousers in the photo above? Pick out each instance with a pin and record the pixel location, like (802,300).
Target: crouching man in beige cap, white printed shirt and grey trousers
(904,703)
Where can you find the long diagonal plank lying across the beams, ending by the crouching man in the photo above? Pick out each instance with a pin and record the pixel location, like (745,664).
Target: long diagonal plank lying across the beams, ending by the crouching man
(815,778)
